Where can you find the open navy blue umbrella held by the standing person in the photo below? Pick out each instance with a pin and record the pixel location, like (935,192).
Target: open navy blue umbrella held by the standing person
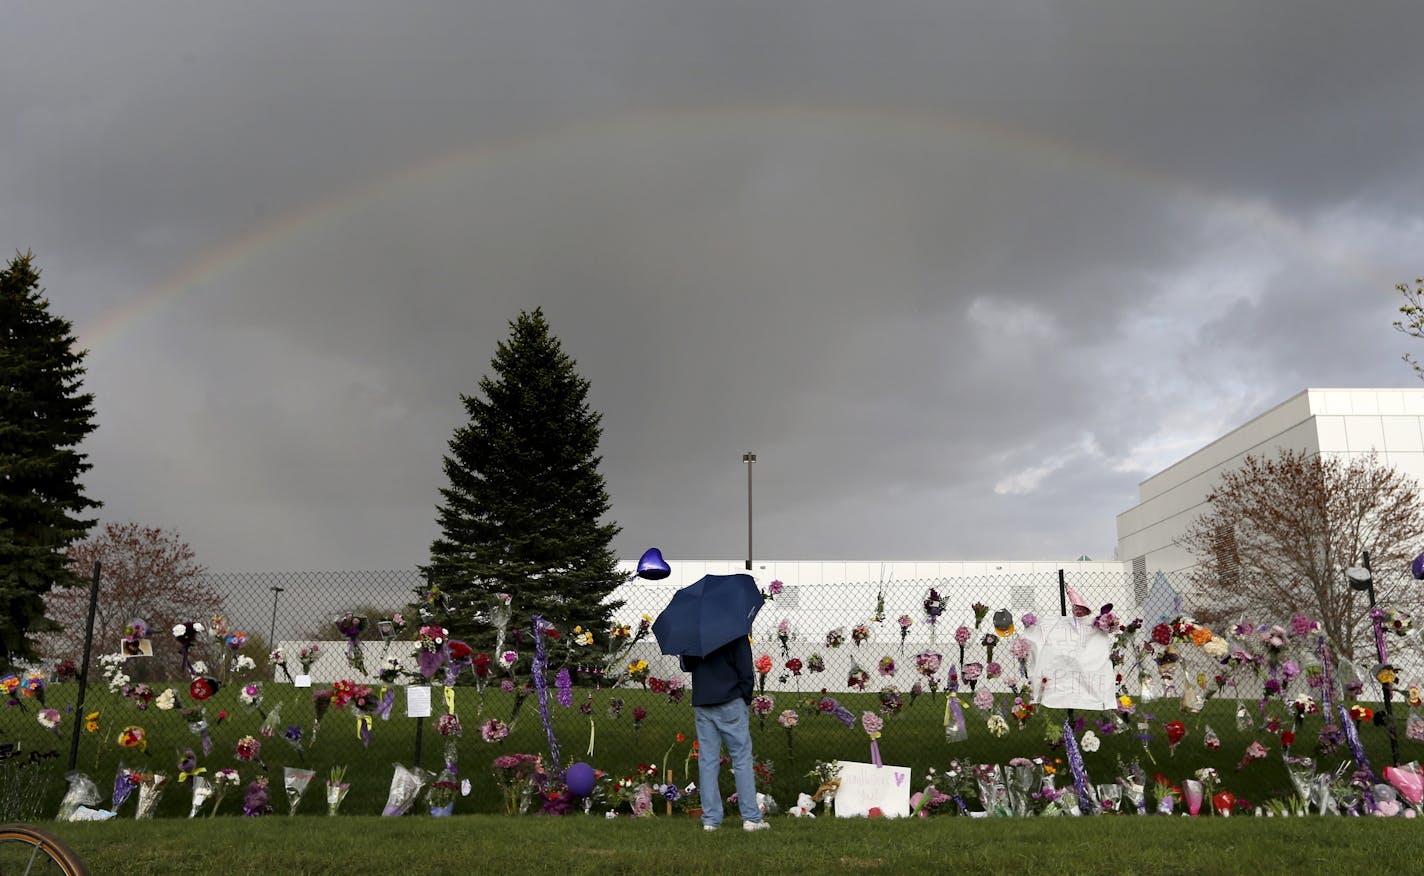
(707,615)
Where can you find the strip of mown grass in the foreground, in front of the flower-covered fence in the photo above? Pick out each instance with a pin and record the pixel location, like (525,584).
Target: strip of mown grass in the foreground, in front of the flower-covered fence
(482,844)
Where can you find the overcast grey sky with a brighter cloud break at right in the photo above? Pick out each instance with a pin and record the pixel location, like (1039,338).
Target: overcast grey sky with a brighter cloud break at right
(960,274)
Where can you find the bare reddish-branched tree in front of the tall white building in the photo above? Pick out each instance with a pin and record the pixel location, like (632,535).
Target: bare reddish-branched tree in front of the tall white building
(1282,531)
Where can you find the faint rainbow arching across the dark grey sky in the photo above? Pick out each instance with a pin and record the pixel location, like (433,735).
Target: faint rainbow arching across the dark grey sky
(684,126)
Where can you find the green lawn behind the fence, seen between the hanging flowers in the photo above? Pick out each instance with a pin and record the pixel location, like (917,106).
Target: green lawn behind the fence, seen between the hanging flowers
(913,739)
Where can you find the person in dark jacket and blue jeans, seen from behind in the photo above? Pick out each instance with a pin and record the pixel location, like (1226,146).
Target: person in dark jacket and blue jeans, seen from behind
(723,686)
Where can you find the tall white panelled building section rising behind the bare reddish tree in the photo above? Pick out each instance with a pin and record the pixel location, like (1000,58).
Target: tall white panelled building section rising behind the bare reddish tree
(1338,422)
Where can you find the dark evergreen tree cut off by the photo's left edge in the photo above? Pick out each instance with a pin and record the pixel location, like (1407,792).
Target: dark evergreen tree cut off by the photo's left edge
(43,419)
